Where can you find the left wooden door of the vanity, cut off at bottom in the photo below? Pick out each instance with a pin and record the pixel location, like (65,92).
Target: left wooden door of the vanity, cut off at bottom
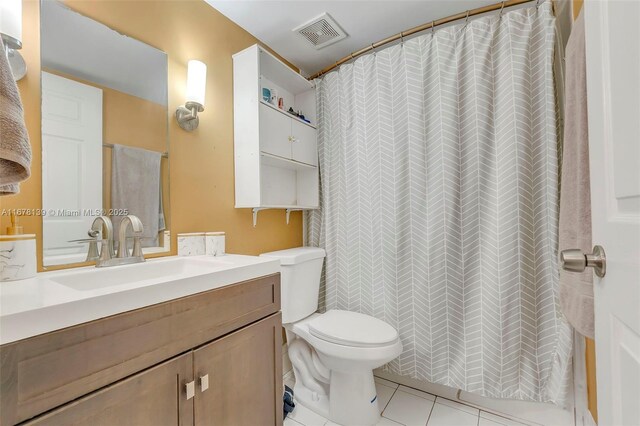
(153,397)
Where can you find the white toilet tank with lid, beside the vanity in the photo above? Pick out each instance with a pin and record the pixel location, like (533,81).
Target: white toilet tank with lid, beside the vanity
(300,270)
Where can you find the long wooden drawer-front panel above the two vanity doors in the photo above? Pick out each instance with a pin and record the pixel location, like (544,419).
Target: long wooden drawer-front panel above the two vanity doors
(43,372)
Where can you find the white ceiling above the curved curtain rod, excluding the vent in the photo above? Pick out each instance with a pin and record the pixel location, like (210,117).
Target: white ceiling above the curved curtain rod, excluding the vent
(365,22)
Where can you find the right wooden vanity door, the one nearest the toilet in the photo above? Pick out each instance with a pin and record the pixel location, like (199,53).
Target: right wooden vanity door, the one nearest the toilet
(244,374)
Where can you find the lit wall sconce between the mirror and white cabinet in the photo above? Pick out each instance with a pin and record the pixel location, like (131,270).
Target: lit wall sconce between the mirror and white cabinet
(187,115)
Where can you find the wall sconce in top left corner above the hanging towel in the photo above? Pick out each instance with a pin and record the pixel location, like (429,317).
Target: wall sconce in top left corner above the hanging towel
(11,33)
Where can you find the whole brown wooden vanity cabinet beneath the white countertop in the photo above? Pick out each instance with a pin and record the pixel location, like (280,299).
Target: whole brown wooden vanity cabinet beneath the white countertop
(210,358)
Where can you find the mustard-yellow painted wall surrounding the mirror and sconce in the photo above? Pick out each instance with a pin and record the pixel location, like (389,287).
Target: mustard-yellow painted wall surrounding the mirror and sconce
(201,166)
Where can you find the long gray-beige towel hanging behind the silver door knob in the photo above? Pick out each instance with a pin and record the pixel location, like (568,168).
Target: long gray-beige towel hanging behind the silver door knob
(576,289)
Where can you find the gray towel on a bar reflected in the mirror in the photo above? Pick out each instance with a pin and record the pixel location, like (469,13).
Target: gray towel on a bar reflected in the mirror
(135,187)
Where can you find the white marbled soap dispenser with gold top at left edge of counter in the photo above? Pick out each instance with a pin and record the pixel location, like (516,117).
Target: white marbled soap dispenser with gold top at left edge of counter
(17,253)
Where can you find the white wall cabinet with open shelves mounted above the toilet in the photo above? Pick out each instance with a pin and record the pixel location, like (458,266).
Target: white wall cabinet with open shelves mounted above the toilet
(276,156)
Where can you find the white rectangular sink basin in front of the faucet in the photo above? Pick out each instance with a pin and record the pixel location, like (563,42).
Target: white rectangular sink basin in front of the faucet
(145,273)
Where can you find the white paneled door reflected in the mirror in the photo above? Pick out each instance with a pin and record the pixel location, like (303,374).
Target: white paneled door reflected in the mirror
(71,165)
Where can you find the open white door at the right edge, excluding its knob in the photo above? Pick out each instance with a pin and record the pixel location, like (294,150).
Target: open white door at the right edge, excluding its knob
(613,95)
